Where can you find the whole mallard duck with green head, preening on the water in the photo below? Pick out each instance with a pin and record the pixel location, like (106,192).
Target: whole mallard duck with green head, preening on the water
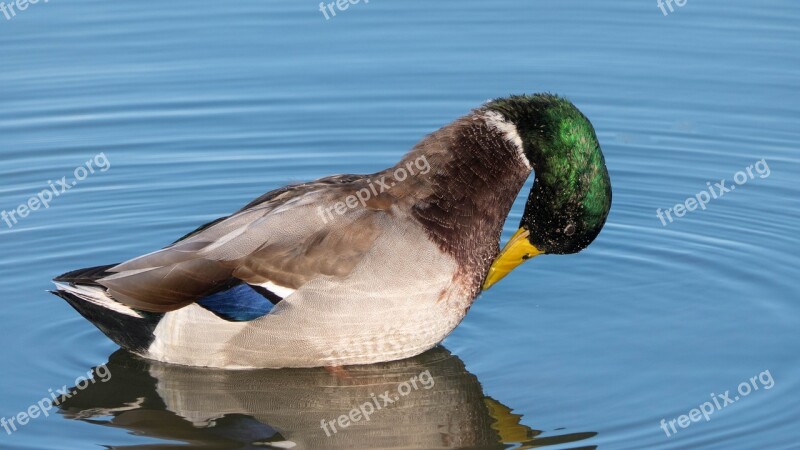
(358,269)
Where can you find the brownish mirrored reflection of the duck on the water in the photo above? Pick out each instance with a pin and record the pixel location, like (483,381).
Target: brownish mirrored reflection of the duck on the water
(426,402)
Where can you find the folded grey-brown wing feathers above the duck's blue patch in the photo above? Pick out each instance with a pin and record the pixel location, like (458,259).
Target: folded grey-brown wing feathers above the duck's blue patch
(281,239)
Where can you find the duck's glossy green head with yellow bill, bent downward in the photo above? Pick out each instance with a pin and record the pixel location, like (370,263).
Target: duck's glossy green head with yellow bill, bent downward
(571,196)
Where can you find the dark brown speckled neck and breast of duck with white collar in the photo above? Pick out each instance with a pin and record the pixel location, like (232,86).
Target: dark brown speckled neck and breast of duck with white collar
(476,172)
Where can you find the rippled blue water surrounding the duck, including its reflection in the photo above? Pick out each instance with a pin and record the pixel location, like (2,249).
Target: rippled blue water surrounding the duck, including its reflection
(201,106)
